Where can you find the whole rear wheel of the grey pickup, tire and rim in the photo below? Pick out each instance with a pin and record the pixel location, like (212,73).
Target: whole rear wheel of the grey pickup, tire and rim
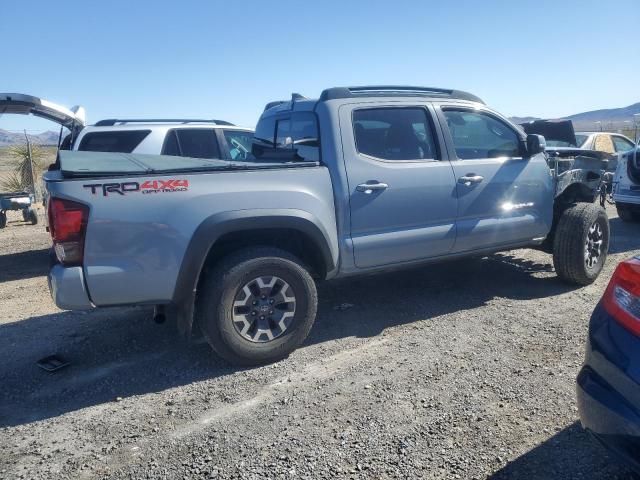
(257,306)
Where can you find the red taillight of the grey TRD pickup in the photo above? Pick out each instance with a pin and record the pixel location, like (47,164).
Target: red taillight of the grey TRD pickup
(68,226)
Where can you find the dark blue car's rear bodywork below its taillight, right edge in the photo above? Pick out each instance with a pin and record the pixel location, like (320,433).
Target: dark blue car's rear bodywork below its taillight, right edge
(608,394)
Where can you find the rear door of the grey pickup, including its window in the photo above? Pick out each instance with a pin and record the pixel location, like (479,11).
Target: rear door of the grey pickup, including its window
(402,194)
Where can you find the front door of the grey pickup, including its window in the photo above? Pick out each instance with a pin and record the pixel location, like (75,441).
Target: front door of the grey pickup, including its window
(504,198)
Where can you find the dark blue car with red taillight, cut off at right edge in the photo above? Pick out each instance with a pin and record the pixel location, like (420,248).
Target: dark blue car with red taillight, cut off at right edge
(609,382)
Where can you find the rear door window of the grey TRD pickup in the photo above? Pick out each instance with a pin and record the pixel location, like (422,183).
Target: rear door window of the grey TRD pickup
(394,133)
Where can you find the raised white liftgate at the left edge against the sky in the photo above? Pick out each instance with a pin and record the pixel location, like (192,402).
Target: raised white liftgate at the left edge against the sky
(21,104)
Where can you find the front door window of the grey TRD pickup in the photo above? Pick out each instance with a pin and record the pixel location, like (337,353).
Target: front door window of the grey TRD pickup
(477,135)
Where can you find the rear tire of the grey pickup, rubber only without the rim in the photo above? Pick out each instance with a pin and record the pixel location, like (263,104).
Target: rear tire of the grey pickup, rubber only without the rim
(219,290)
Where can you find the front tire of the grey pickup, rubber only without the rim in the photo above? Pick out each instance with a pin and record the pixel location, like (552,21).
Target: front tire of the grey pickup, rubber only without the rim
(570,241)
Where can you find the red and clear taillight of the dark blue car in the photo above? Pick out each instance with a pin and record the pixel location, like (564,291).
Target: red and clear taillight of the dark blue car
(622,296)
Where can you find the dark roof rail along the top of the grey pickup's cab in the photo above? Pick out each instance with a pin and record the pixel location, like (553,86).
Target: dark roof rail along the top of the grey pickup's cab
(395,90)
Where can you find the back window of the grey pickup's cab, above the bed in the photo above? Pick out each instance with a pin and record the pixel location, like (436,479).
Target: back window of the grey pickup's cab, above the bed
(293,136)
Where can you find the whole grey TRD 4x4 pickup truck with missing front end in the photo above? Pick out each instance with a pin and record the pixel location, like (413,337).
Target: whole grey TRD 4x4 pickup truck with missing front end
(362,179)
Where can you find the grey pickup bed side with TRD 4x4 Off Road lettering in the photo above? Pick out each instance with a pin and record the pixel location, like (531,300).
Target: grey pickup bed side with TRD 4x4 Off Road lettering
(145,210)
